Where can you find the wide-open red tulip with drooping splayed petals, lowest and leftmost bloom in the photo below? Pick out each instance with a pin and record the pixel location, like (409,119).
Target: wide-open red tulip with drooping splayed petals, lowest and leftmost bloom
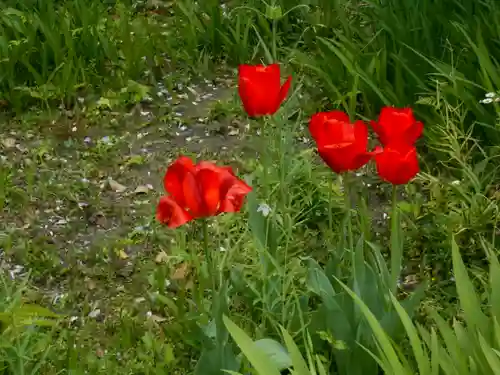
(200,190)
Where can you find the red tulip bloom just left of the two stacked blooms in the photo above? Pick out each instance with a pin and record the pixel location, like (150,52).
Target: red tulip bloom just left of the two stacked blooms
(342,145)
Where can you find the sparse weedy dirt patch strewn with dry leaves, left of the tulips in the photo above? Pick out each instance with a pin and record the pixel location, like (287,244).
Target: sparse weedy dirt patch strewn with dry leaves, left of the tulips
(78,194)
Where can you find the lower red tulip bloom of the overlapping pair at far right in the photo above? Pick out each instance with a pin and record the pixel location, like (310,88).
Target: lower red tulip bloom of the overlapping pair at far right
(396,164)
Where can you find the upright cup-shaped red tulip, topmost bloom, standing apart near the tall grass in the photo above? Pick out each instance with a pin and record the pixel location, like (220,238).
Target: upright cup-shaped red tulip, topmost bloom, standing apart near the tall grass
(260,89)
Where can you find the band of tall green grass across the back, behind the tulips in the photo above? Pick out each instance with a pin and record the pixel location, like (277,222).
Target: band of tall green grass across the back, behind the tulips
(385,52)
